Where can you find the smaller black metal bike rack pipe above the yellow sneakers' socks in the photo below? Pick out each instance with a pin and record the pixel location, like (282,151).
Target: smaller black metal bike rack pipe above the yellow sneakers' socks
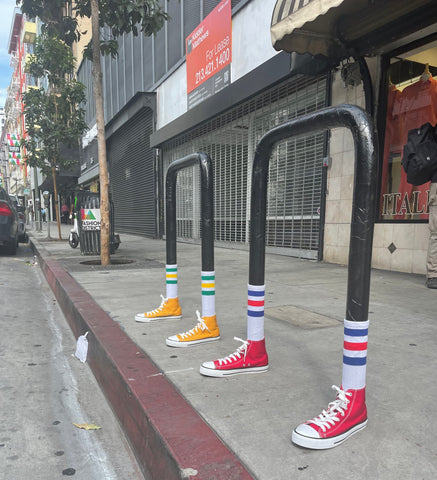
(206,206)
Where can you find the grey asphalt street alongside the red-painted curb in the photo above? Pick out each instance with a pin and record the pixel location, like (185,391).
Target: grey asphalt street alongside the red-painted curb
(44,389)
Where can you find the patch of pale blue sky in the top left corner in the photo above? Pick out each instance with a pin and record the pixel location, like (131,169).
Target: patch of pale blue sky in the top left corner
(6,13)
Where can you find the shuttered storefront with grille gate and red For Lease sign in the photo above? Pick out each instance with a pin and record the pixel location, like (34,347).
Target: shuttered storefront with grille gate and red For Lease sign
(245,89)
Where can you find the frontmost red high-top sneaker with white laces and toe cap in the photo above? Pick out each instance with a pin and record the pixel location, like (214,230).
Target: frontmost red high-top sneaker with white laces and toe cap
(346,415)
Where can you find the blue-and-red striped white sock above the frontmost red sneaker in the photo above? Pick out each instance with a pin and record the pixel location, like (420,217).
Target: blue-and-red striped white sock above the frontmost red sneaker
(355,355)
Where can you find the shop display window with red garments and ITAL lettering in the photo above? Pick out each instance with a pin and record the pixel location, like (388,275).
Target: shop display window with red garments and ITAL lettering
(411,102)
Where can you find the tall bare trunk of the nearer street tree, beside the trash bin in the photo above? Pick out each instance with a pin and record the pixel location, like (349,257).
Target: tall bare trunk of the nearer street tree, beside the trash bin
(105,259)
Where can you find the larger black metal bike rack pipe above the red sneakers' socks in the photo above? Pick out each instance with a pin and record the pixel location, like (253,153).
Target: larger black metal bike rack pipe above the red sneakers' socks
(364,197)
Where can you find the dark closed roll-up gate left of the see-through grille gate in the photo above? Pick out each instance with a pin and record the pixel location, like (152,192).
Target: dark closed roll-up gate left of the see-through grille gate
(132,176)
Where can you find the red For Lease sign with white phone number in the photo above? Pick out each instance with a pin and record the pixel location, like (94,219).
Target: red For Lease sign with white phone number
(209,47)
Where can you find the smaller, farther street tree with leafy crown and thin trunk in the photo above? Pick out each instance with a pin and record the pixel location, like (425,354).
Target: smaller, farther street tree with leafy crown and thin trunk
(54,116)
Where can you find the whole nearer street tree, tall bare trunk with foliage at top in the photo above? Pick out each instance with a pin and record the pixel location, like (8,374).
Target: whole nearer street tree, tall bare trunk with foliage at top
(122,17)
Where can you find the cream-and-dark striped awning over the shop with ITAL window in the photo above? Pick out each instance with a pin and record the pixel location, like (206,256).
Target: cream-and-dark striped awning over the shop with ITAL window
(331,27)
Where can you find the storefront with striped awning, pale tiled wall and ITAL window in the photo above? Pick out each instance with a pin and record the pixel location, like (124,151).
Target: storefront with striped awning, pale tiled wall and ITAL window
(386,53)
